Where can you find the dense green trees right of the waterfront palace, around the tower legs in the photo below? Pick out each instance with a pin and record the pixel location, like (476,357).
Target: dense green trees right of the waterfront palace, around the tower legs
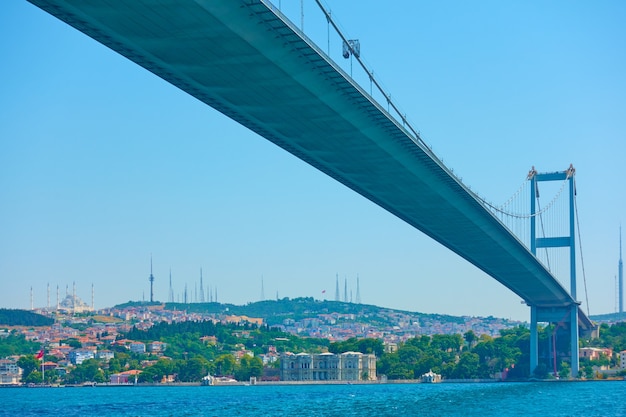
(472,357)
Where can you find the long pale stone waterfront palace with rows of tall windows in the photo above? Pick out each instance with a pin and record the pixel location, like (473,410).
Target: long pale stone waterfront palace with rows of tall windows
(349,366)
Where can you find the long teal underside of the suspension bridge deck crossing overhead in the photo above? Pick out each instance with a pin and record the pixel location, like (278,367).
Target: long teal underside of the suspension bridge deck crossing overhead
(241,58)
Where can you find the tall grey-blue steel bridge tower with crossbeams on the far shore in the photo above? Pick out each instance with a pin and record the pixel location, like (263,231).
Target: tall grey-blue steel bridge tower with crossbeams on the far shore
(552,314)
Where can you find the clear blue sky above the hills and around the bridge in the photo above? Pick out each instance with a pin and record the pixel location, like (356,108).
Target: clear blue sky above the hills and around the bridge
(103,164)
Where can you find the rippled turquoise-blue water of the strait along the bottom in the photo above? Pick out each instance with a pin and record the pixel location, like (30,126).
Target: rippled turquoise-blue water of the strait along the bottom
(495,399)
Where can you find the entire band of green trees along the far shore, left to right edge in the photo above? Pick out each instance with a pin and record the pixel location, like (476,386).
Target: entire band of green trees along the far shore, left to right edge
(195,349)
